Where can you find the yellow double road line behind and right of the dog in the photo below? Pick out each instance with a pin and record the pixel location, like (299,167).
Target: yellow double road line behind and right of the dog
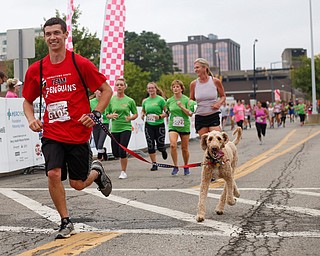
(255,163)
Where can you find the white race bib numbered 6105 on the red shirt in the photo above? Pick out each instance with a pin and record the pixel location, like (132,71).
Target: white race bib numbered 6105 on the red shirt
(58,111)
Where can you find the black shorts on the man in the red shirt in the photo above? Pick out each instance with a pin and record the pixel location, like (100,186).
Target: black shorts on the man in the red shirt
(73,159)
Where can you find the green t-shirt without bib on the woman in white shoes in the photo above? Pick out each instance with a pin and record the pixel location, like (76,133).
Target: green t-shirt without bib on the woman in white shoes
(122,107)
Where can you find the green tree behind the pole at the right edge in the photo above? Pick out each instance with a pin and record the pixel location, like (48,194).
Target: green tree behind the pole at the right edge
(301,76)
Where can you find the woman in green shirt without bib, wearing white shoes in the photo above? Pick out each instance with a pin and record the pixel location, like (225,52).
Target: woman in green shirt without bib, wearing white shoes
(118,111)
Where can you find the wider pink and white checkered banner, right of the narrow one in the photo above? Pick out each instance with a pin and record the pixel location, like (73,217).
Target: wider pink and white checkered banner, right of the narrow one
(112,44)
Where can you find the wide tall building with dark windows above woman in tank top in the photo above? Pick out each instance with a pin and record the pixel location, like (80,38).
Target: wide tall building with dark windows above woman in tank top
(222,54)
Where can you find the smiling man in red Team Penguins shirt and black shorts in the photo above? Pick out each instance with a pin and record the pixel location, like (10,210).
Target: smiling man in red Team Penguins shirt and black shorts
(66,124)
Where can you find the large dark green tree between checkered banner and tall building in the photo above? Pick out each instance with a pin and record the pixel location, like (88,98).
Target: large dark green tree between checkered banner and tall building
(149,52)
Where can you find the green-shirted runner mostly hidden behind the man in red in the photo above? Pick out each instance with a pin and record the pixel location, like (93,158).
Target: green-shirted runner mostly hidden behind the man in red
(99,136)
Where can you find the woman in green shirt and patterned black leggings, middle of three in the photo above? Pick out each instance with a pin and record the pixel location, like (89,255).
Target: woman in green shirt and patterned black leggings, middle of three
(153,112)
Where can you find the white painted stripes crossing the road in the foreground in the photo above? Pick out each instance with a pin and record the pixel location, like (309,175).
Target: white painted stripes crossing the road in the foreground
(224,229)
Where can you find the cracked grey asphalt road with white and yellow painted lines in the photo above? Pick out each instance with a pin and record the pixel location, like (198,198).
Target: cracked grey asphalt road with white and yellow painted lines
(153,213)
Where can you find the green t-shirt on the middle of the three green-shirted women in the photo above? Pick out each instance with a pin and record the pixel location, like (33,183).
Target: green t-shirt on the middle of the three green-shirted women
(153,106)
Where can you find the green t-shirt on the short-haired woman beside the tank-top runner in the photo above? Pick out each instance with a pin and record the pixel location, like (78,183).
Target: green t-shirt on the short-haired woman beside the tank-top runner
(178,120)
